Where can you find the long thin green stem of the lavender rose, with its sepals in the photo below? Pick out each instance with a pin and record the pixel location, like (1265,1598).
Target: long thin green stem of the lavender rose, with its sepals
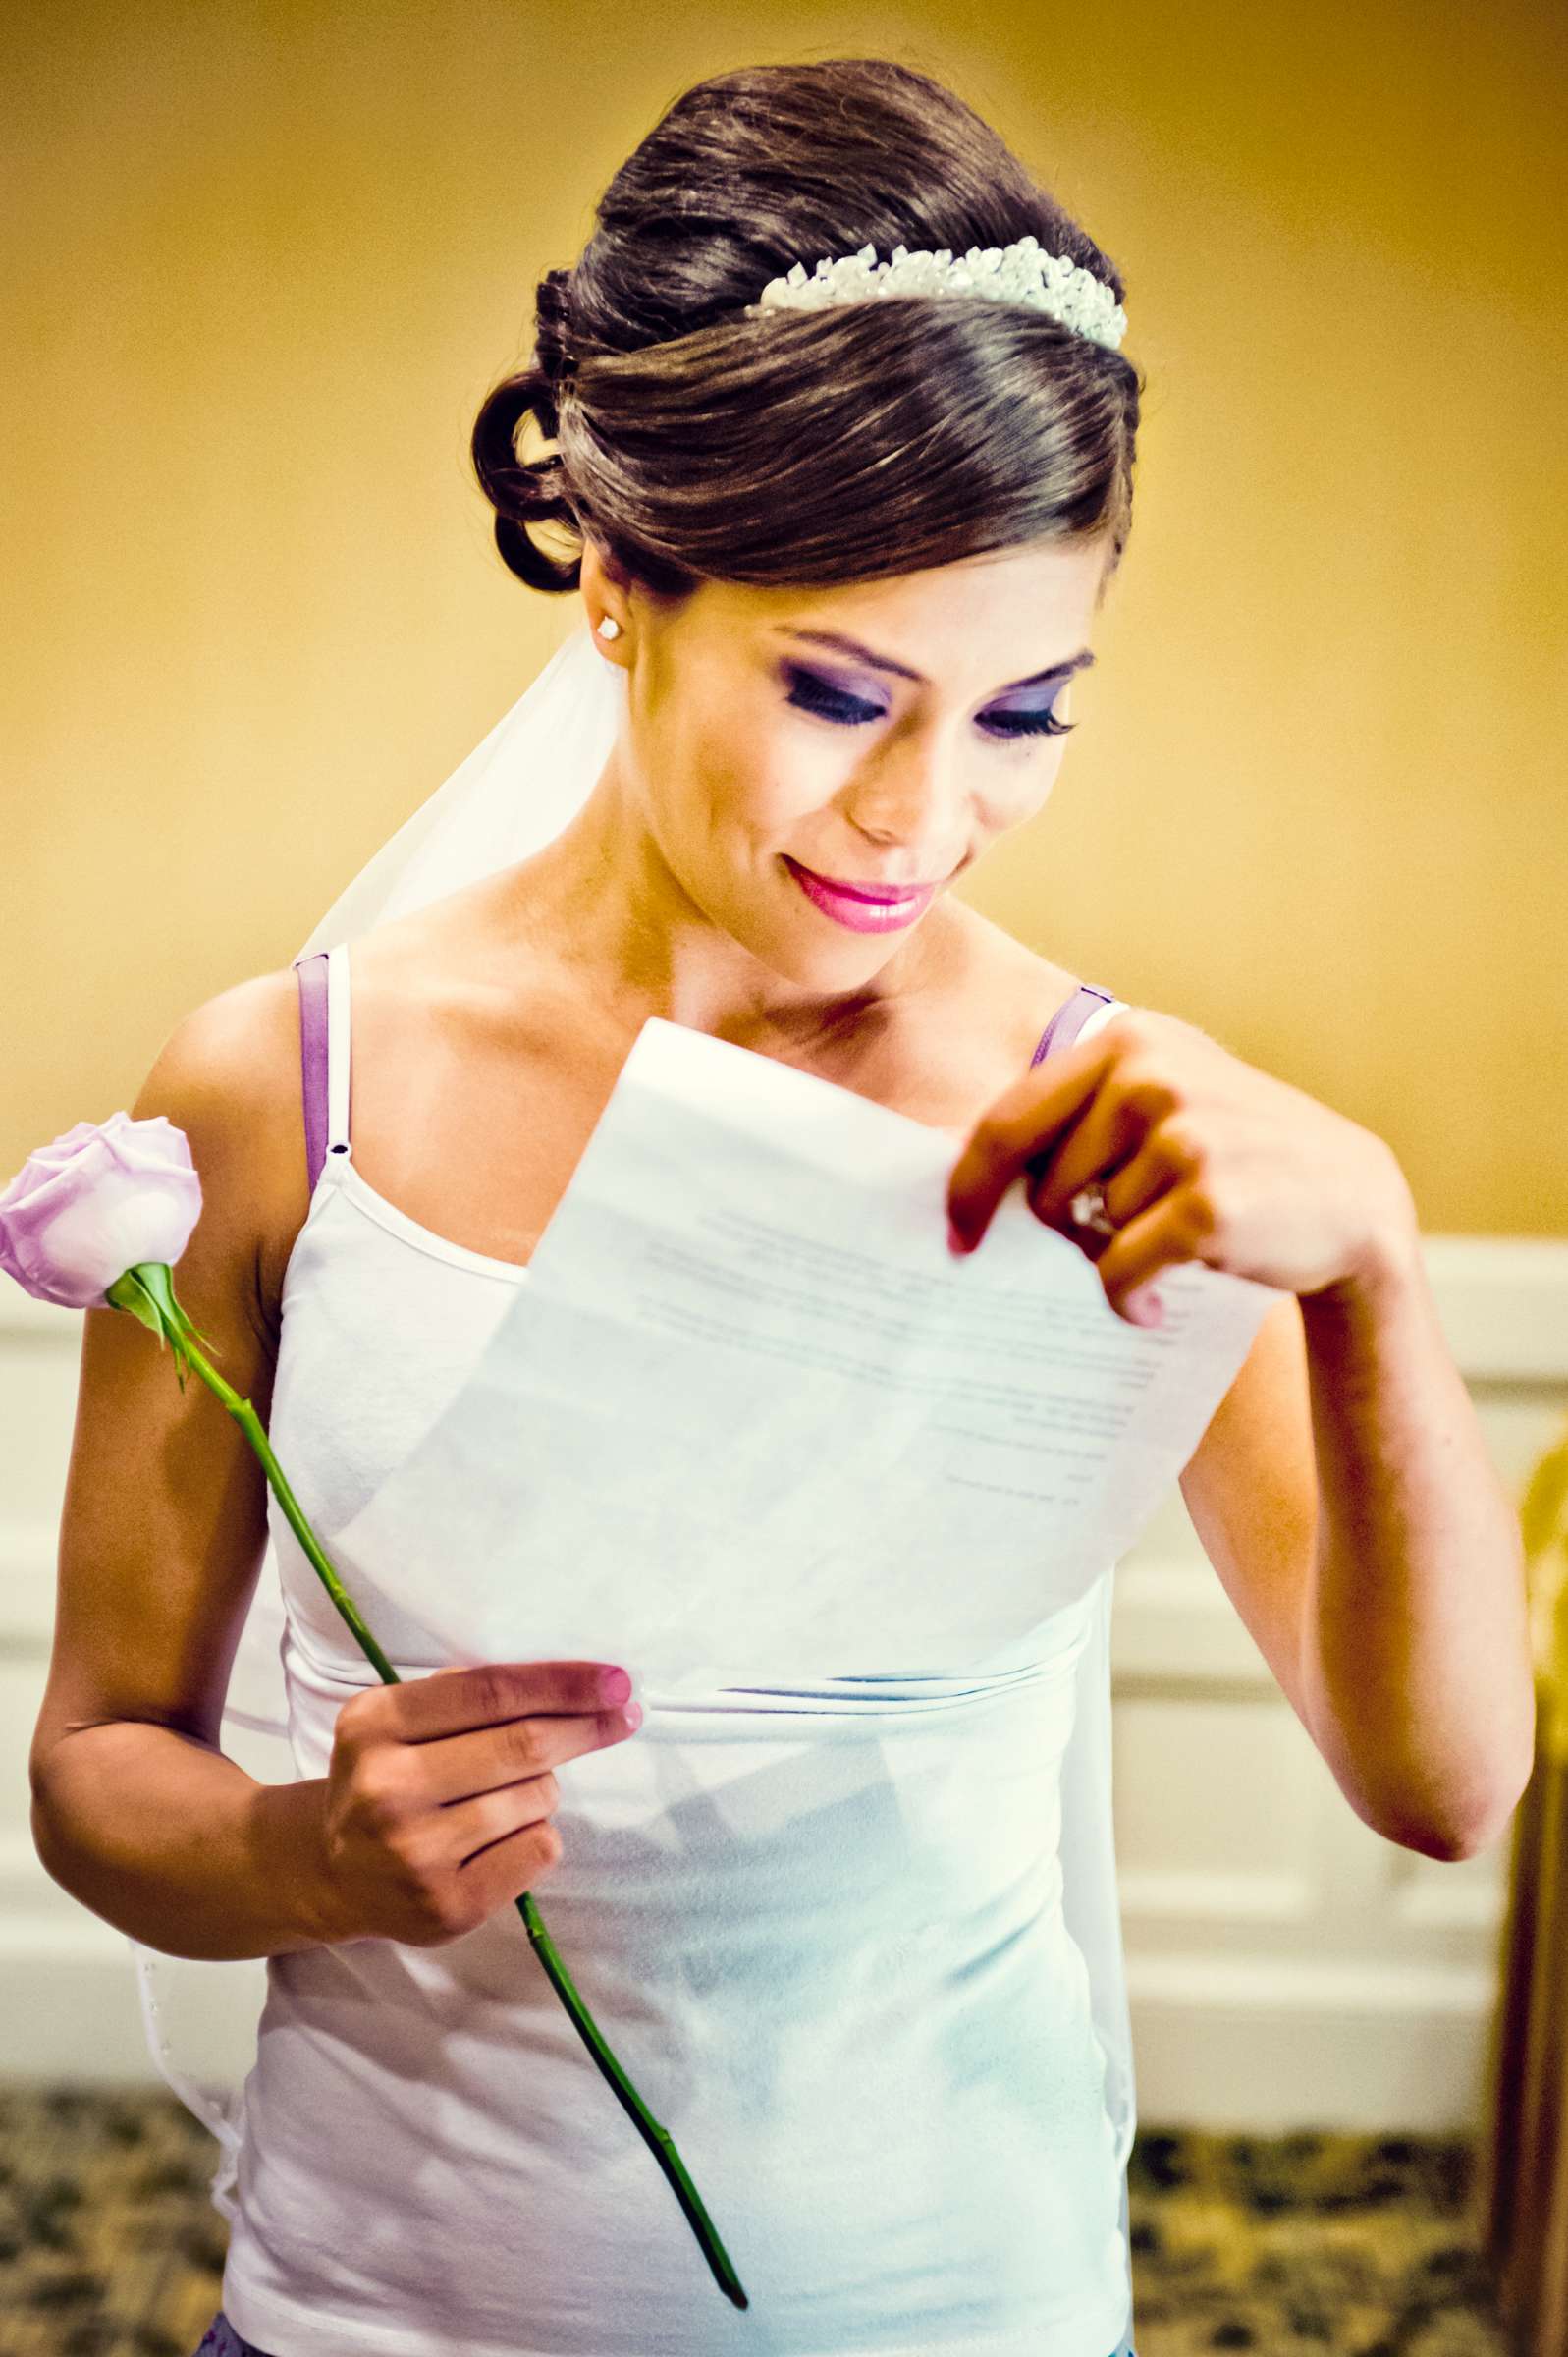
(150,1295)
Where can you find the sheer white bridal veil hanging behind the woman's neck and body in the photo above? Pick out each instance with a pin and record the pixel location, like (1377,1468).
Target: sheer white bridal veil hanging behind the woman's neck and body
(515,793)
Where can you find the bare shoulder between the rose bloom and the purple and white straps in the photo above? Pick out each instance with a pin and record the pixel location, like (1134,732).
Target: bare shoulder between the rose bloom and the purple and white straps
(230,1078)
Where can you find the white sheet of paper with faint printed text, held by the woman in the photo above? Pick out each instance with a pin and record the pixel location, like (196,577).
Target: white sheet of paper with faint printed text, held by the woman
(746,1420)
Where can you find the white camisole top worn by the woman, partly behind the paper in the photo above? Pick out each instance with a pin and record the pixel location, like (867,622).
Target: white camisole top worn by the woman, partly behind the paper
(838,1936)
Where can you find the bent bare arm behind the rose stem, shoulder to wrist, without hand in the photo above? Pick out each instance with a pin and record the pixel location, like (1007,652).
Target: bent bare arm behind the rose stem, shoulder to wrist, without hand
(136,1809)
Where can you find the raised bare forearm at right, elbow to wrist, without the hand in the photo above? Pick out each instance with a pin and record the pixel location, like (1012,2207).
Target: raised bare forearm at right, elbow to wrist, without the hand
(1345,1496)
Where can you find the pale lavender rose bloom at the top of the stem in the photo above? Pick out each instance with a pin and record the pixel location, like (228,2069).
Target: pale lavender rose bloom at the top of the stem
(98,1201)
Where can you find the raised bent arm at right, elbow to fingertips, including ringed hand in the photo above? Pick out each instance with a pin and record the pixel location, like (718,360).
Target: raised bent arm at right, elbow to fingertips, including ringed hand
(1348,1479)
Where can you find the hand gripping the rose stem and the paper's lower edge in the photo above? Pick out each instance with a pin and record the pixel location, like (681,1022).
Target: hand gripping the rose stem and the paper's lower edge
(440,1792)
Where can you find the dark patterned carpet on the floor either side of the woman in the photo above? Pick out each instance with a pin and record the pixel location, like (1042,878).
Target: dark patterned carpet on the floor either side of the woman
(1293,2247)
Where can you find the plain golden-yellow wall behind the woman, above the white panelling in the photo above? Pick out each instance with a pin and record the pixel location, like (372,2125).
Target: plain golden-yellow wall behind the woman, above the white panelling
(265,260)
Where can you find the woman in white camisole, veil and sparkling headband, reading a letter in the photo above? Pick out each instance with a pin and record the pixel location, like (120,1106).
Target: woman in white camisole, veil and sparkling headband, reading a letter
(841,477)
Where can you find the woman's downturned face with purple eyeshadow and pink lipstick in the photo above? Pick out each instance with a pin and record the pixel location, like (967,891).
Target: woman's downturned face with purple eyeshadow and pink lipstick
(765,751)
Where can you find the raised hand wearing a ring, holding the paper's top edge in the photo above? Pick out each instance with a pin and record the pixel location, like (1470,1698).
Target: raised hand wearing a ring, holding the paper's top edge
(1199,1158)
